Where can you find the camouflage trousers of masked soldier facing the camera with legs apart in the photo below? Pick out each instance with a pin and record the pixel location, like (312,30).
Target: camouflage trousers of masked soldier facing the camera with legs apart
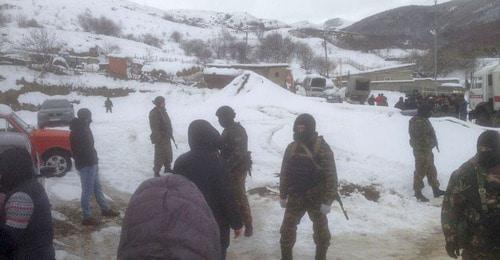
(296,208)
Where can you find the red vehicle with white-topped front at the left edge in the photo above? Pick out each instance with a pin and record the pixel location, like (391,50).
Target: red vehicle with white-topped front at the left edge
(52,145)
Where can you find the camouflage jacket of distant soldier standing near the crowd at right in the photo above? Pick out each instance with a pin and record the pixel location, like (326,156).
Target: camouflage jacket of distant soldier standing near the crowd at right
(422,135)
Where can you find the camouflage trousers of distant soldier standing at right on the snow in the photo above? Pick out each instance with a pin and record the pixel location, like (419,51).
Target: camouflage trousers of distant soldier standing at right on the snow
(424,167)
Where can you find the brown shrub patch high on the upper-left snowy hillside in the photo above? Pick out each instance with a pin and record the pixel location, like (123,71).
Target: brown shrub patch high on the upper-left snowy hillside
(100,25)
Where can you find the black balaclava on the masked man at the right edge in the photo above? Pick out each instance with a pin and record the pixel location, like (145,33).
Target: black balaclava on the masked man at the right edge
(488,159)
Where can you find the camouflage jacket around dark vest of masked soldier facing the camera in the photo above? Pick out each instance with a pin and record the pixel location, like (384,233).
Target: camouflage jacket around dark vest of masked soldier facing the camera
(324,159)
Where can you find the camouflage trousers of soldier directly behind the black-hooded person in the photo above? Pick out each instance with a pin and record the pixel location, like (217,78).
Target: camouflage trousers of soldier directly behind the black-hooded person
(237,179)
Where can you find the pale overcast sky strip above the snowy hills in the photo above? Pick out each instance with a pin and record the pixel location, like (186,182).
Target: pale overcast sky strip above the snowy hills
(290,11)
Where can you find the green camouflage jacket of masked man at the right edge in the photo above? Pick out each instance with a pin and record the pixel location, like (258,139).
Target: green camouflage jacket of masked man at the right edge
(465,204)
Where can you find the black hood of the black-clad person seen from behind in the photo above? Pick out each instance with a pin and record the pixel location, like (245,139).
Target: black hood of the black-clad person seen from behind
(203,136)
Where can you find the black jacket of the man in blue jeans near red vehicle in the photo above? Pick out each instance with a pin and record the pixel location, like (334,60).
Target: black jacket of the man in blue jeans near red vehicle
(82,144)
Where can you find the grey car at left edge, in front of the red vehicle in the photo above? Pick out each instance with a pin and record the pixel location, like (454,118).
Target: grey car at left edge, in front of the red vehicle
(10,140)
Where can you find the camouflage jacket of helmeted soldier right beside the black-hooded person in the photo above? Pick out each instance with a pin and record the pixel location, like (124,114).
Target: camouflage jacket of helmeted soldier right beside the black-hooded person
(234,147)
